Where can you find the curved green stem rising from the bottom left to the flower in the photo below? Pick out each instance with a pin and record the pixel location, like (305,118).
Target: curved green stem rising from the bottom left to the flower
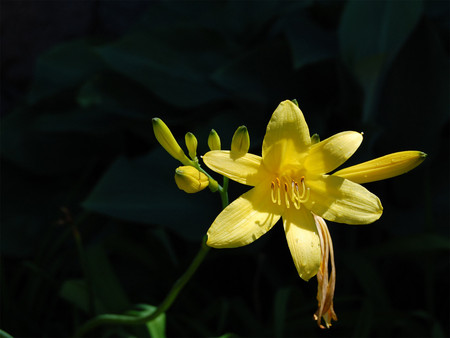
(147,316)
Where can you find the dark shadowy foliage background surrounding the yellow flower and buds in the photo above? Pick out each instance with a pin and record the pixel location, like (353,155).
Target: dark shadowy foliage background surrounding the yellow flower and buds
(92,221)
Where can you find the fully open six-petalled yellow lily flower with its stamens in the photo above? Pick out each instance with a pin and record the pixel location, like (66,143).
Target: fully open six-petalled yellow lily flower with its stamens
(290,181)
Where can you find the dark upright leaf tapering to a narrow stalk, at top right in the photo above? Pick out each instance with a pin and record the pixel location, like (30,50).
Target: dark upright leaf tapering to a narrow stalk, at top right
(371,34)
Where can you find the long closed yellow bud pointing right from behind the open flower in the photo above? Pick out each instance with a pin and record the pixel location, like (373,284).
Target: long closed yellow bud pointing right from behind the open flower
(384,167)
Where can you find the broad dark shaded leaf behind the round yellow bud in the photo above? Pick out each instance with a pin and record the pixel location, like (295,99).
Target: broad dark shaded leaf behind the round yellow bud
(143,190)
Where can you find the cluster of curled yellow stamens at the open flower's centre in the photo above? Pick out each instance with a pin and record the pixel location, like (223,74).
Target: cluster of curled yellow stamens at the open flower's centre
(290,191)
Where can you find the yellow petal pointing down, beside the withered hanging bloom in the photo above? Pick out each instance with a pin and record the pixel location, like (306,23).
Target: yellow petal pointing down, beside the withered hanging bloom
(303,241)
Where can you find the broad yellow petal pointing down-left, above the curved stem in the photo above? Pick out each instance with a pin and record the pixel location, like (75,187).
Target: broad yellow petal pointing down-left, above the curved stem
(245,220)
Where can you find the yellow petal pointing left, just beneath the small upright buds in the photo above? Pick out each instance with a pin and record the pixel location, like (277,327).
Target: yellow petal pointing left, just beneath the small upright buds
(246,169)
